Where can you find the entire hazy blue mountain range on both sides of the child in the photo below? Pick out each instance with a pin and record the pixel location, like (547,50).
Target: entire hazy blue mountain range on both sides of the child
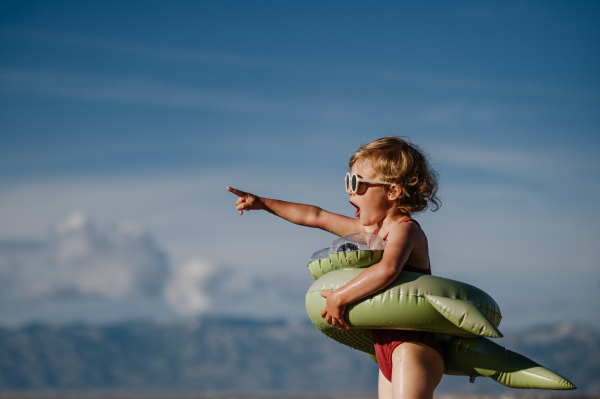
(212,355)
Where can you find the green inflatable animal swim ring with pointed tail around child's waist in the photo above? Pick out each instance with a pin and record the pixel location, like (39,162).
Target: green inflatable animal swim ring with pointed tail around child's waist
(460,315)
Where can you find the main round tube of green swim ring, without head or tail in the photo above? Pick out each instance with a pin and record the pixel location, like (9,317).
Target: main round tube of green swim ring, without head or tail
(413,301)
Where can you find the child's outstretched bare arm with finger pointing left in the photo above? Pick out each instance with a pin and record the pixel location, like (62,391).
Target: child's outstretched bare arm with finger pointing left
(304,215)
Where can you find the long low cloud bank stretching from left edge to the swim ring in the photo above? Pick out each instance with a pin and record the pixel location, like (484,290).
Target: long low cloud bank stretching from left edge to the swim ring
(83,271)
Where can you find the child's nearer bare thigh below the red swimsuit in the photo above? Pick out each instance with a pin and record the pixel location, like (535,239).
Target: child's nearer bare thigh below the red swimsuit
(417,369)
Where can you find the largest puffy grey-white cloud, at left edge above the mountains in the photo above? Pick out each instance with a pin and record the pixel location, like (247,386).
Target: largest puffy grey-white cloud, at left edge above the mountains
(79,259)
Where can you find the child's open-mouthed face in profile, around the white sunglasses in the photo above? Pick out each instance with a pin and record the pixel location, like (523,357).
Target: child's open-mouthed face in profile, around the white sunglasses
(370,200)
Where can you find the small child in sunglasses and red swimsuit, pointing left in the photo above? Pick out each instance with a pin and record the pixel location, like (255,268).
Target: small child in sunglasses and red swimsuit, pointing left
(389,180)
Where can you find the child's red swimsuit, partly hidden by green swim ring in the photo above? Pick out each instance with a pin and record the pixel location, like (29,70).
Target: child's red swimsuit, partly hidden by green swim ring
(388,340)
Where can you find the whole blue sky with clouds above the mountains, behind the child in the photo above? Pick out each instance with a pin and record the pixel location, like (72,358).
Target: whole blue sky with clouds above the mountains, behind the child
(121,123)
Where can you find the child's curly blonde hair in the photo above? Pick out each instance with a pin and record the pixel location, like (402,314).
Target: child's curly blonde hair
(398,161)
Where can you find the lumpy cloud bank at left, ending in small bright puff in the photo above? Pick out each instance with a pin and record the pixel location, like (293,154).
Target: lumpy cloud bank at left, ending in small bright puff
(81,261)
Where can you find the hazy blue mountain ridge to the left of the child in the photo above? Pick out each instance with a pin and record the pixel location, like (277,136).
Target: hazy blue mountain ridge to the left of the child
(204,355)
